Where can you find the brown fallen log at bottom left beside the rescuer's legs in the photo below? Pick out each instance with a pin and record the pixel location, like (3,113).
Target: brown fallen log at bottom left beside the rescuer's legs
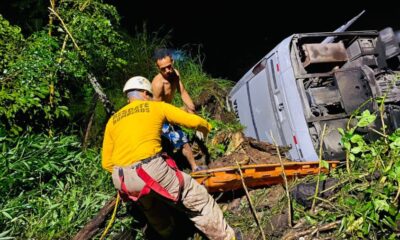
(91,228)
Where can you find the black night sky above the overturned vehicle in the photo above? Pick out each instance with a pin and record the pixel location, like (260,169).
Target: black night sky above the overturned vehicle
(235,34)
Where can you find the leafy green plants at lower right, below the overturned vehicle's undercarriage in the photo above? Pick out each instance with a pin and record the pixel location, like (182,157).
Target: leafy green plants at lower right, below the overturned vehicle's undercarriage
(366,198)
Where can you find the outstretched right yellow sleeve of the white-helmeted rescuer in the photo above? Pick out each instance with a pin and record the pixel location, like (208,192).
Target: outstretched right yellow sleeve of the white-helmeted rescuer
(177,116)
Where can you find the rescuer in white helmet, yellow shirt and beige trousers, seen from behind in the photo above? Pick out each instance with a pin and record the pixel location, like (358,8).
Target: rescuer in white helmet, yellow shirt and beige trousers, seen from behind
(132,153)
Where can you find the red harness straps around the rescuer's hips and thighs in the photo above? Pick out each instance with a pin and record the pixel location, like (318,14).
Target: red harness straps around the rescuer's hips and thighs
(151,184)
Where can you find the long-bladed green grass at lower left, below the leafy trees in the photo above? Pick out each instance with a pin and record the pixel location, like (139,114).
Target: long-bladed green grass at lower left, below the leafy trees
(49,187)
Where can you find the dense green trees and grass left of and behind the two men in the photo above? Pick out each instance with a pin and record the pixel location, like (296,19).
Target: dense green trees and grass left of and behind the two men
(51,119)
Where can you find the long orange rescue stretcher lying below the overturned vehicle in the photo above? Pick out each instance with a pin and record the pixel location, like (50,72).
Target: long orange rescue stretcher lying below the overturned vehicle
(256,175)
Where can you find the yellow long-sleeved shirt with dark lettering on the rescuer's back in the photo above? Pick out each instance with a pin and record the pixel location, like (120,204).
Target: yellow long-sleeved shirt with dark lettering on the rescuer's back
(134,132)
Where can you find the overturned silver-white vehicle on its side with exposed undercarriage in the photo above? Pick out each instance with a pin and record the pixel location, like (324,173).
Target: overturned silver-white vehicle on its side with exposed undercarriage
(306,82)
